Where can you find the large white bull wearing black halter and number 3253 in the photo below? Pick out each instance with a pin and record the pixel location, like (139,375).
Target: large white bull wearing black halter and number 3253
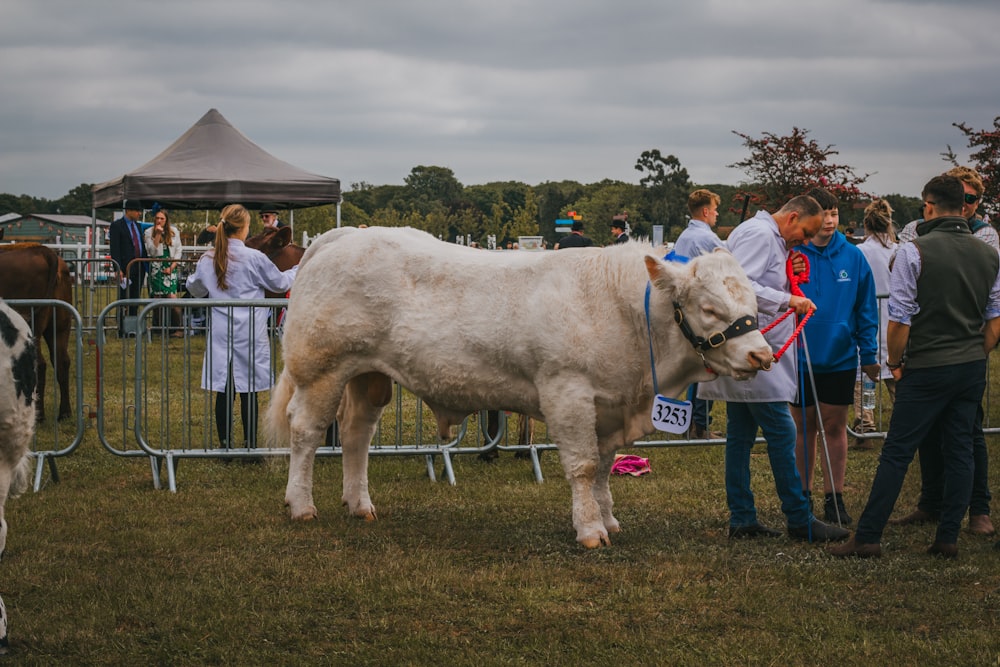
(560,336)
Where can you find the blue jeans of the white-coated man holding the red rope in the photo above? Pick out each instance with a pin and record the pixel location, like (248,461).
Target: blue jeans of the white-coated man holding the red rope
(775,421)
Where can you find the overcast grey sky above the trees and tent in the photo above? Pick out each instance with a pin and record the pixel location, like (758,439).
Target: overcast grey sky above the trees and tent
(531,91)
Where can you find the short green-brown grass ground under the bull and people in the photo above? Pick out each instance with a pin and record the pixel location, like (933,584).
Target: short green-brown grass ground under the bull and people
(101,569)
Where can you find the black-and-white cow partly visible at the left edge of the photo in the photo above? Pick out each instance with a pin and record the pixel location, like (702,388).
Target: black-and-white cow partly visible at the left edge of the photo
(17,407)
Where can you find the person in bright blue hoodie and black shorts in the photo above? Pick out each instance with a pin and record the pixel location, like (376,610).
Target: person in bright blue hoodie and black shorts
(843,329)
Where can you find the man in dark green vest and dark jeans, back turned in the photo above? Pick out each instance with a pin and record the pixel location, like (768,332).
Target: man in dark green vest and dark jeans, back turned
(945,286)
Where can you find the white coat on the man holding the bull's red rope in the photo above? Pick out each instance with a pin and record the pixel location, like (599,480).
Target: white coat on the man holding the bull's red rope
(761,252)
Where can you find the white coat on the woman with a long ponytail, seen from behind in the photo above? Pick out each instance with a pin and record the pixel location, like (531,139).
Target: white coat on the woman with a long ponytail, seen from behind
(243,342)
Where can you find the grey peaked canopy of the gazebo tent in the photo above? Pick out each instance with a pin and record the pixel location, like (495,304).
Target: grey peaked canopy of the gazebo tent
(214,164)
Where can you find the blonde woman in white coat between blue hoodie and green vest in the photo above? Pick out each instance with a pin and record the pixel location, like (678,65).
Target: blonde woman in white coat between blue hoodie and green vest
(878,248)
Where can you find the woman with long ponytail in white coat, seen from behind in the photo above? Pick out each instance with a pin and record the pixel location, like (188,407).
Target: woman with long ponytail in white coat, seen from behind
(238,357)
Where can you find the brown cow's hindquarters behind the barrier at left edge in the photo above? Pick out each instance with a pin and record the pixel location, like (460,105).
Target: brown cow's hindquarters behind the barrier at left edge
(33,271)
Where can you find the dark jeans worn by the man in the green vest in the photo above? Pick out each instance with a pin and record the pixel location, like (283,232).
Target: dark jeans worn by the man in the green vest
(945,397)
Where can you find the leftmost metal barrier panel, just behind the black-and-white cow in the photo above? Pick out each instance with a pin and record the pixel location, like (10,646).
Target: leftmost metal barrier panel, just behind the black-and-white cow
(54,438)
